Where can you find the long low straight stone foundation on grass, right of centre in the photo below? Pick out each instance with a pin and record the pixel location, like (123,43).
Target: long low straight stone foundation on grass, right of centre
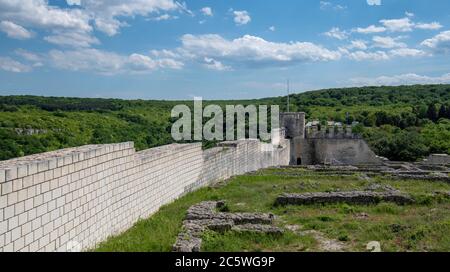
(355,197)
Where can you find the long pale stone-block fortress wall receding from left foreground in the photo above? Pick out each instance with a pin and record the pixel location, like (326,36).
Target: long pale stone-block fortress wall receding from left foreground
(80,196)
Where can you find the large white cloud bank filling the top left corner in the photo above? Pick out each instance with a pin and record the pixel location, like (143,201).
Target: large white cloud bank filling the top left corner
(107,15)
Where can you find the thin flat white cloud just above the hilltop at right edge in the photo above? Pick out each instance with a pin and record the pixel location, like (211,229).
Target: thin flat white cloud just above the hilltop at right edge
(404,79)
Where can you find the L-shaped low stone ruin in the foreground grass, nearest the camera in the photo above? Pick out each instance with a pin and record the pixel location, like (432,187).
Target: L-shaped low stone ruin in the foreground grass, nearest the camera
(205,216)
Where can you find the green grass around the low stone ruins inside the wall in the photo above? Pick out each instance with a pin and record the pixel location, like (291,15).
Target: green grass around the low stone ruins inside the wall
(424,226)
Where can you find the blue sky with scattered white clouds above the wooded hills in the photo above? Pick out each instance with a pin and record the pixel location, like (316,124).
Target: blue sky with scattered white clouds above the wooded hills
(218,49)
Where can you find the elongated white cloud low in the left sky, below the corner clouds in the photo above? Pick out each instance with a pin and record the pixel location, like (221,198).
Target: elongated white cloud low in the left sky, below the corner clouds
(108,63)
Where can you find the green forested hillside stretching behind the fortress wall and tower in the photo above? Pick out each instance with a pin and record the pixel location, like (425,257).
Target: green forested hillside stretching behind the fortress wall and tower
(401,123)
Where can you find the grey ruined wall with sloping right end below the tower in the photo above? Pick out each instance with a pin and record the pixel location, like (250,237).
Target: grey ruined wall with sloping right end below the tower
(335,152)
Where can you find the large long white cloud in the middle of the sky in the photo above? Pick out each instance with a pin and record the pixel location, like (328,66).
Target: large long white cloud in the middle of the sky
(253,51)
